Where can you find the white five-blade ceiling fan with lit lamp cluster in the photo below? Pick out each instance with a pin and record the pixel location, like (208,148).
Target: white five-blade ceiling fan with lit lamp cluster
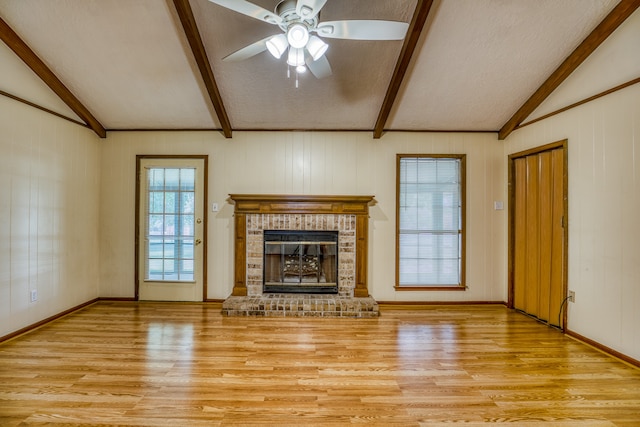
(299,20)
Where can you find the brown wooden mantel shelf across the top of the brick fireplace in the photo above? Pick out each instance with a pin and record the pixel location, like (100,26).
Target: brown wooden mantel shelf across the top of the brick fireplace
(276,204)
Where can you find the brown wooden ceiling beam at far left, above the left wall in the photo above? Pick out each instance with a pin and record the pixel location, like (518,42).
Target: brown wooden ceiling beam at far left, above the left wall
(28,56)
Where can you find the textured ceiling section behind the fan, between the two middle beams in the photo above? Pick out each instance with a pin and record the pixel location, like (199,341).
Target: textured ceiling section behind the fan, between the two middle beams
(257,92)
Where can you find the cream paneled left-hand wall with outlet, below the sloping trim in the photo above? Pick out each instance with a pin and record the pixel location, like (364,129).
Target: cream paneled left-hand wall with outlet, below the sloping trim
(49,197)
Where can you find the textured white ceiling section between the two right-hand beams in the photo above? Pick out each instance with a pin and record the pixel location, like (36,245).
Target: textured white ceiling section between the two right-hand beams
(480,61)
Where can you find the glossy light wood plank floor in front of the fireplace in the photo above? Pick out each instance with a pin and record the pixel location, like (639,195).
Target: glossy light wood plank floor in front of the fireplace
(118,363)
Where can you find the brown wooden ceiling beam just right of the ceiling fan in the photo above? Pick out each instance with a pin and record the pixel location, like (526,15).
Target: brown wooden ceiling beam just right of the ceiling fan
(410,42)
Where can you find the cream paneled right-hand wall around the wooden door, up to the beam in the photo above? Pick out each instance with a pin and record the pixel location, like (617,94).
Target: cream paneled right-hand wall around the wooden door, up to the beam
(604,189)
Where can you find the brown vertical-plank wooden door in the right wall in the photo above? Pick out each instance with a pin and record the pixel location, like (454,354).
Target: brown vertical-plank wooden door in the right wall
(538,245)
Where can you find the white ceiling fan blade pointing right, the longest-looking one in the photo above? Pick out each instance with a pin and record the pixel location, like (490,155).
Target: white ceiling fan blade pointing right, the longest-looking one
(363,30)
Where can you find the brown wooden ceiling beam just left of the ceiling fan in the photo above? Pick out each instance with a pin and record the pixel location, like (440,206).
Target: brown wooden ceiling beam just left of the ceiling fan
(185,13)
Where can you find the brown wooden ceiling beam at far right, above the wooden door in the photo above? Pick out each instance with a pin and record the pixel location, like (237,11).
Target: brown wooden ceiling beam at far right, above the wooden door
(609,24)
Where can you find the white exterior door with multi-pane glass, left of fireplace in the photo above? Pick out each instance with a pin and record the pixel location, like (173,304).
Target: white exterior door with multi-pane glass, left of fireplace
(171,229)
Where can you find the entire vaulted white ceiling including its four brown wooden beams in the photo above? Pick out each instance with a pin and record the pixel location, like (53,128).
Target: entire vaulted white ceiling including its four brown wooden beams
(465,65)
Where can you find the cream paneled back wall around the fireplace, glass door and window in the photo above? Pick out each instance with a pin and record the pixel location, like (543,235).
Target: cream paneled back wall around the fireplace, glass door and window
(307,163)
